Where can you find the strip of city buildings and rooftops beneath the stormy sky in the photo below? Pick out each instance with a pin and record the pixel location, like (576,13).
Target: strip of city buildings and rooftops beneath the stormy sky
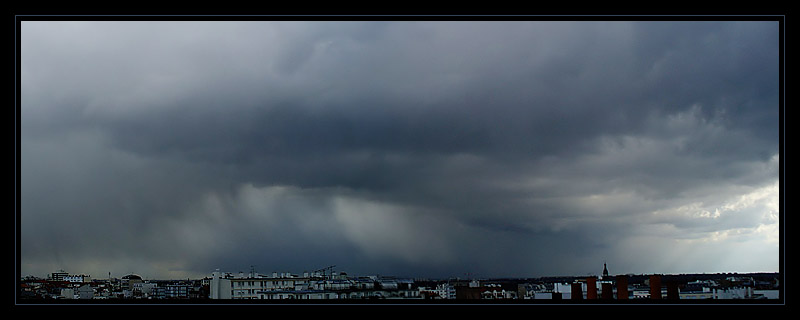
(337,287)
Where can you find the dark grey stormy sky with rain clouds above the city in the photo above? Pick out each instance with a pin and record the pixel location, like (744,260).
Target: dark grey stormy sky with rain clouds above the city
(431,149)
